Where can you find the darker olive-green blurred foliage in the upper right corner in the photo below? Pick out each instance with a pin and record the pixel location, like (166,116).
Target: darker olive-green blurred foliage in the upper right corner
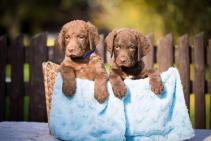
(181,16)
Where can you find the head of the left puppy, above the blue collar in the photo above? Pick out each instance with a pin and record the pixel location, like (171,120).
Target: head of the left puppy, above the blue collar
(78,37)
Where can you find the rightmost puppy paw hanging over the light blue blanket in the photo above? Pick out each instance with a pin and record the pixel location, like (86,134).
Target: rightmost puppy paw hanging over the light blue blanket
(156,86)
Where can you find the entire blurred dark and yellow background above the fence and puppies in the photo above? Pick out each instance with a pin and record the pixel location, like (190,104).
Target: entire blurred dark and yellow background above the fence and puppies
(157,16)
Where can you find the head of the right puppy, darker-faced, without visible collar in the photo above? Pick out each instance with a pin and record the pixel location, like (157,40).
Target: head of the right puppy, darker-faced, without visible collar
(127,46)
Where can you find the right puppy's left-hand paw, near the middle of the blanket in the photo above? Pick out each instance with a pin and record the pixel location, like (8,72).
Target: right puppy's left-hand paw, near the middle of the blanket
(119,89)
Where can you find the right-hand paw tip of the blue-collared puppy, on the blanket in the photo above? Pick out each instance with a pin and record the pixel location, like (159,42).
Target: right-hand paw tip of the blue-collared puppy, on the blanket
(101,94)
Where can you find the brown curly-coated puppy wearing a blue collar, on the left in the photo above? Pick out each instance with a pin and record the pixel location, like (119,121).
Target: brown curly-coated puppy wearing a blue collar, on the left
(79,39)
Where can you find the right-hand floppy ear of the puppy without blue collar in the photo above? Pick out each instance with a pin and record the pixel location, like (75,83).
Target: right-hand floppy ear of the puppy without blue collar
(144,45)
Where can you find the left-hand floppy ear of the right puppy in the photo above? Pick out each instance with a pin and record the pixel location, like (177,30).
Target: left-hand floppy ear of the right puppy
(110,41)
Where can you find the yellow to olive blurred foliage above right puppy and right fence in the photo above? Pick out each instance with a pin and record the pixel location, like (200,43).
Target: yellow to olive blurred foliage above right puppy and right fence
(158,16)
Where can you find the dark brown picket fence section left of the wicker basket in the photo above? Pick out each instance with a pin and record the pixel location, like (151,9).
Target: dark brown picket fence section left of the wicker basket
(16,54)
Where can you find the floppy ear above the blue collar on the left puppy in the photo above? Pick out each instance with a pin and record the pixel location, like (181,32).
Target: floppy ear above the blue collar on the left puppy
(94,37)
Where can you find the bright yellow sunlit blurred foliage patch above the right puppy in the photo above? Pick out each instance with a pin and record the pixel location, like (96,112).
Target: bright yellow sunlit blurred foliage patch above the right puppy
(134,14)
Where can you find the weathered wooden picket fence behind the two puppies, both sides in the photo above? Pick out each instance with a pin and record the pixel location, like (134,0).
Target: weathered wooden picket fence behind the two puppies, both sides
(193,60)
